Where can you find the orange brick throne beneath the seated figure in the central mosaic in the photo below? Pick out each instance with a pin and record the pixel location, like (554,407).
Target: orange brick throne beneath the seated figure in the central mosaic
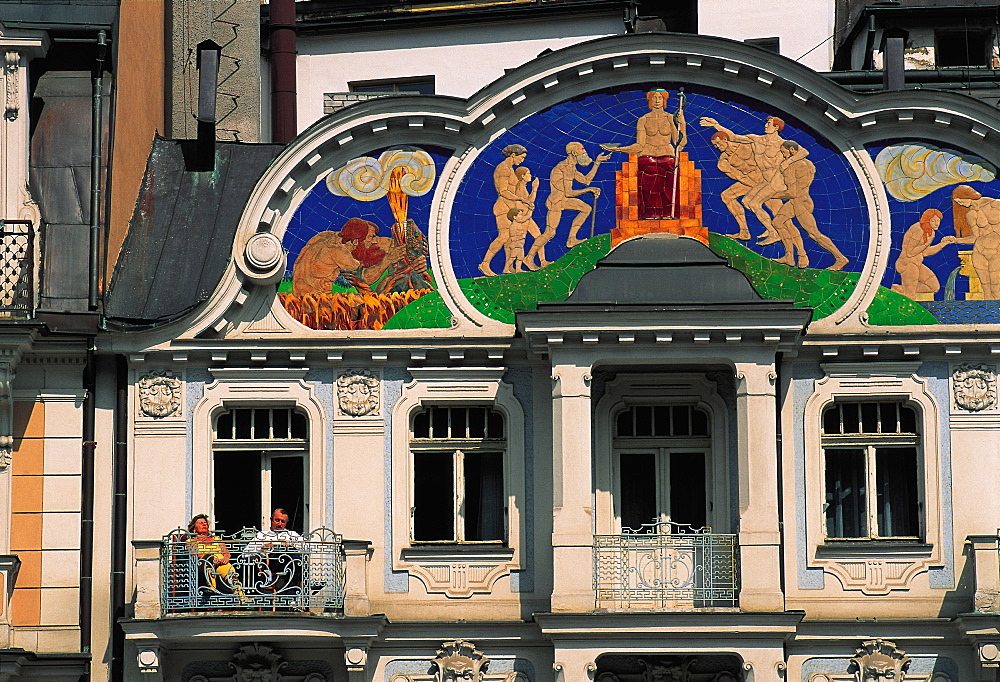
(687,212)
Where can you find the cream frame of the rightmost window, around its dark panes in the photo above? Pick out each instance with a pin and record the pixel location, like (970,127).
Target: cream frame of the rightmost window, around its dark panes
(870,443)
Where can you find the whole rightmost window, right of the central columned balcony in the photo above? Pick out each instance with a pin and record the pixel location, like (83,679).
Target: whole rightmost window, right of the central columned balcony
(872,471)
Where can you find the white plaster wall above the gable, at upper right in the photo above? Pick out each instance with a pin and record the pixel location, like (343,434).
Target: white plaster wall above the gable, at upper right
(800,25)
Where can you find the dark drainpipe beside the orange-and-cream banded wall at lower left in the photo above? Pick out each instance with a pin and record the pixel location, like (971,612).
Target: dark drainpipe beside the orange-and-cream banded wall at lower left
(87,502)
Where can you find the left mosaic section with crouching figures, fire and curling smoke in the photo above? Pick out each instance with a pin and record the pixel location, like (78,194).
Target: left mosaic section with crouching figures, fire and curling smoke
(357,245)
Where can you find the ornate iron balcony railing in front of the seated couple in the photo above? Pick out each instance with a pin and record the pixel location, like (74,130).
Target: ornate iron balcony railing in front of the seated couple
(252,571)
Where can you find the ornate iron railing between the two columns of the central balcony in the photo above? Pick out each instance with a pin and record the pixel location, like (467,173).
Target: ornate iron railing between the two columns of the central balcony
(665,566)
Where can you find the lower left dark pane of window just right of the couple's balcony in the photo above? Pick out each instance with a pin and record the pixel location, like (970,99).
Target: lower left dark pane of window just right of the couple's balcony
(433,496)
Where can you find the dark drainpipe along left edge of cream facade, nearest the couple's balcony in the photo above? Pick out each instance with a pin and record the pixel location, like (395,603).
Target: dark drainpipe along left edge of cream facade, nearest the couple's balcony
(119,520)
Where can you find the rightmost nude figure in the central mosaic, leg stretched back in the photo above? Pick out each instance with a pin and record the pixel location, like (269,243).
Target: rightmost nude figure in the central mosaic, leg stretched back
(797,177)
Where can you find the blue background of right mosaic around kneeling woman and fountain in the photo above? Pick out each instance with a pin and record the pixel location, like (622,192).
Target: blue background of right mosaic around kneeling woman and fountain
(949,305)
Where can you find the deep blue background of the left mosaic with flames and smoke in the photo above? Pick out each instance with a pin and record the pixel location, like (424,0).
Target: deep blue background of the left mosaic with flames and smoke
(321,210)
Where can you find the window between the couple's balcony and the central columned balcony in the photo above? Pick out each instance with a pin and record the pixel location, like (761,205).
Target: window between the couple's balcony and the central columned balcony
(458,475)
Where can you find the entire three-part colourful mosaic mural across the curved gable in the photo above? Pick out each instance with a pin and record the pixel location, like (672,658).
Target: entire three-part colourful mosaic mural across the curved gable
(545,200)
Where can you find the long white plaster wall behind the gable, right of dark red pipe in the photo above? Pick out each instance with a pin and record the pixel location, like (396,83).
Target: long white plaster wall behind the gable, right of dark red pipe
(462,59)
